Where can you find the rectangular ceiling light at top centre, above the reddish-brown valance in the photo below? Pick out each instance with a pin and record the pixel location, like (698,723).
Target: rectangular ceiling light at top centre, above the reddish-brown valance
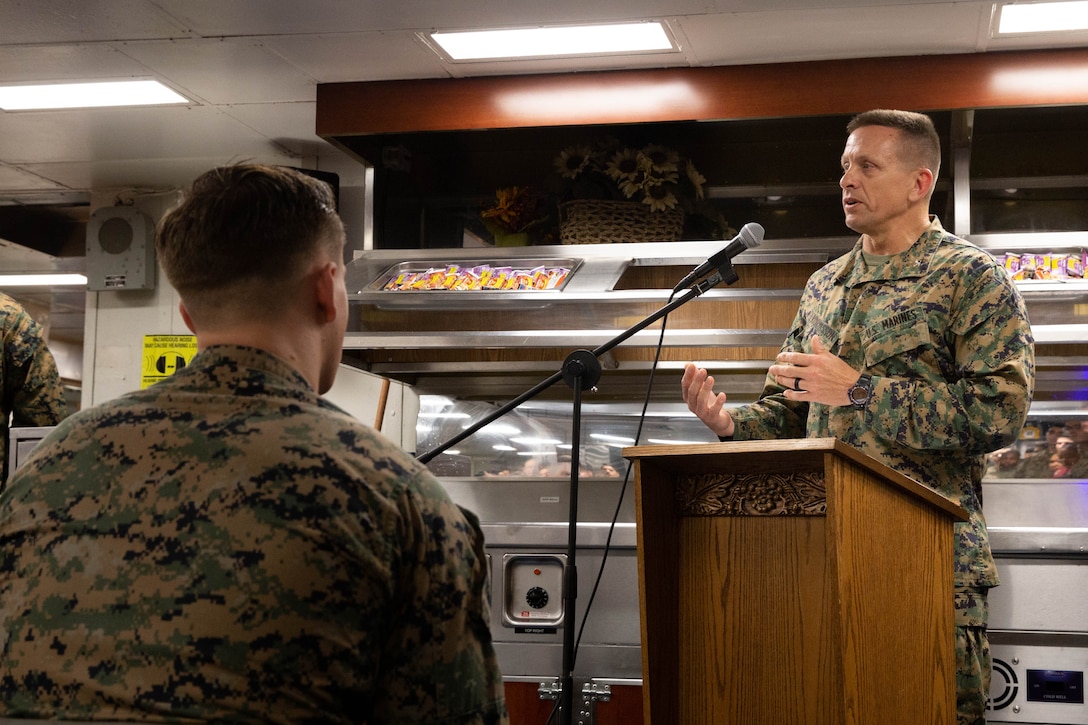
(560,41)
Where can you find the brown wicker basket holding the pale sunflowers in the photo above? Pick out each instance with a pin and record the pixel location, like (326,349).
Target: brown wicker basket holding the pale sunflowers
(594,222)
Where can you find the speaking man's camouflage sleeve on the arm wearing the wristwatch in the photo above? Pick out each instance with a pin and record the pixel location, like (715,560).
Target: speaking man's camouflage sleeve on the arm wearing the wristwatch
(982,403)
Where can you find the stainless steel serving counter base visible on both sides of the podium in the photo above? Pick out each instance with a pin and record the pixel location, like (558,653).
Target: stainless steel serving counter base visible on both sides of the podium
(1038,617)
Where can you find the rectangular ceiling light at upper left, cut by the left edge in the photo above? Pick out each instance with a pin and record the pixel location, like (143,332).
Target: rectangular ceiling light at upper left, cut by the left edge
(88,95)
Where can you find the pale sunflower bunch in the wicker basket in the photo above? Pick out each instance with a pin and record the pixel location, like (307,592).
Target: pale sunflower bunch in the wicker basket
(653,175)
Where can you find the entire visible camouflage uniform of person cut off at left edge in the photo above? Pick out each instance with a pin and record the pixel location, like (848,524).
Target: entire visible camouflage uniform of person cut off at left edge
(31,392)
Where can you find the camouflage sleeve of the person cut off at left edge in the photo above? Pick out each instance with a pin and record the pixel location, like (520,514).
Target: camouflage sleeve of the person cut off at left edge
(31,380)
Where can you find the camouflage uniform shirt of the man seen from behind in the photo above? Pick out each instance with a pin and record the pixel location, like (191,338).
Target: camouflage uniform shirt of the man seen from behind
(227,546)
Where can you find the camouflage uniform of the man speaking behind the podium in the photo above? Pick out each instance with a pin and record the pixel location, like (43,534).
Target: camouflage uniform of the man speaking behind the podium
(944,333)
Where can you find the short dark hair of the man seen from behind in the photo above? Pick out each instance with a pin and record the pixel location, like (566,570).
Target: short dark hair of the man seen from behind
(243,224)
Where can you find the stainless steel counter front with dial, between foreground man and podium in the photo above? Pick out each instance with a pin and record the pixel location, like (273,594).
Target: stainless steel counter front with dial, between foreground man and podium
(525,524)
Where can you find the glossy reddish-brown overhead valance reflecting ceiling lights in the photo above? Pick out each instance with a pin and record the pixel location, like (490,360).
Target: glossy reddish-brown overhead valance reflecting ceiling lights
(996,80)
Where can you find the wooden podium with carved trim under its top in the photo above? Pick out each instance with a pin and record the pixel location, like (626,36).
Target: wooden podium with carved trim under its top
(795,582)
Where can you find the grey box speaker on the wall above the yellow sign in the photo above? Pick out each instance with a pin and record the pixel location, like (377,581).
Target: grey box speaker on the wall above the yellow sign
(120,250)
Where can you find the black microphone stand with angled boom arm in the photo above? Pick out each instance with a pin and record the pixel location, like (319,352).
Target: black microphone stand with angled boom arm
(582,372)
